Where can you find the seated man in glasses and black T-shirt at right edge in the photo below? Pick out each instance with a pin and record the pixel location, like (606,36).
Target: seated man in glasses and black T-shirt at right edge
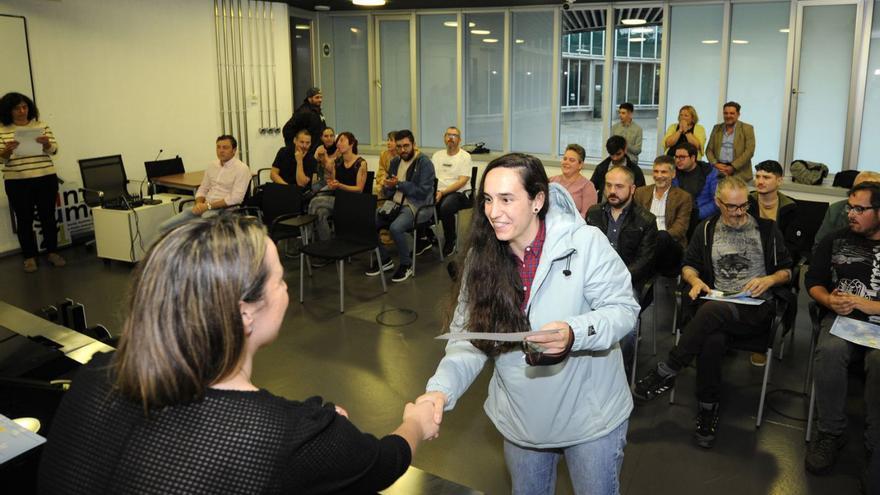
(843,278)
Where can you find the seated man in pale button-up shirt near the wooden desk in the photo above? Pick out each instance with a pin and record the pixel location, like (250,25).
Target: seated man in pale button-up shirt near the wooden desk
(224,185)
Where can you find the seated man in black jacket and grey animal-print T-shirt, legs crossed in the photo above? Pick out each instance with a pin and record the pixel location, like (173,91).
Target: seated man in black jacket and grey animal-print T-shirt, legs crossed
(733,253)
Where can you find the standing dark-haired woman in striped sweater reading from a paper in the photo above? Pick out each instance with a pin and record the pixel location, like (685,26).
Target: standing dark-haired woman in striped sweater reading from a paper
(30,180)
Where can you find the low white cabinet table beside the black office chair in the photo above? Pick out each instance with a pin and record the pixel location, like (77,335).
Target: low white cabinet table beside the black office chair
(125,235)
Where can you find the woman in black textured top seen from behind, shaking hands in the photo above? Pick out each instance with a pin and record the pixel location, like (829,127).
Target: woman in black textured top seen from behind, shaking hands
(174,410)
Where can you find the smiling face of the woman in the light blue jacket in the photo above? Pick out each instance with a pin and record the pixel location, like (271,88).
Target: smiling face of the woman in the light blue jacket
(512,214)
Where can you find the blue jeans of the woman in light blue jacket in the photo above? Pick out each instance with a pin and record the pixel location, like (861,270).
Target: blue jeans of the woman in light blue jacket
(594,466)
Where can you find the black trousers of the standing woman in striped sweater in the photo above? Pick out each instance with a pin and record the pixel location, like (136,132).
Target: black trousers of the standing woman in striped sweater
(27,195)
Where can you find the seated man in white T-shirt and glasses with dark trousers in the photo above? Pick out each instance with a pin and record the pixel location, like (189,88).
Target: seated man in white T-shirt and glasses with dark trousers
(453,169)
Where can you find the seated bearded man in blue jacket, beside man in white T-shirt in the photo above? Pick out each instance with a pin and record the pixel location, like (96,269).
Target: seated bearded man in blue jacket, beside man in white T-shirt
(410,184)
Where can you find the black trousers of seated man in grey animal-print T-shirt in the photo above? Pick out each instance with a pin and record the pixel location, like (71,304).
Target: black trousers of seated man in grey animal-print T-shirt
(705,339)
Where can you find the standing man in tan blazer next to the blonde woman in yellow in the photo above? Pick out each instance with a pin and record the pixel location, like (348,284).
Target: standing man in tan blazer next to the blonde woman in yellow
(732,144)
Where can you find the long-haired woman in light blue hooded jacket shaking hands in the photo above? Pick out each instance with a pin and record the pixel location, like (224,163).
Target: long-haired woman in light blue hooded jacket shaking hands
(533,264)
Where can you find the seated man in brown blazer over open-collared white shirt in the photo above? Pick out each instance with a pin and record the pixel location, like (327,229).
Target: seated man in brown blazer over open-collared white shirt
(672,207)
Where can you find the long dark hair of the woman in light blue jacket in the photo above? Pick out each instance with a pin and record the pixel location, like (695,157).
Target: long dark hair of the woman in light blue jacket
(491,281)
